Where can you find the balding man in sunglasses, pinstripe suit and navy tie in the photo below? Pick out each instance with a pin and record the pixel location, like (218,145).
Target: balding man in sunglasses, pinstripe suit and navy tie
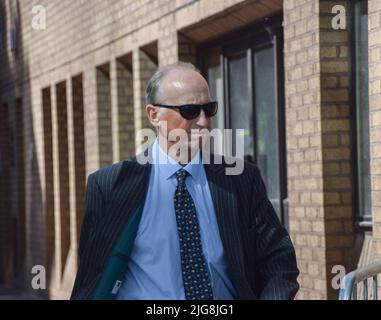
(181,228)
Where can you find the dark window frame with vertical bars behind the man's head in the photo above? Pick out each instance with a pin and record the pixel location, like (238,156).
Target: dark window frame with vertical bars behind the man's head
(266,33)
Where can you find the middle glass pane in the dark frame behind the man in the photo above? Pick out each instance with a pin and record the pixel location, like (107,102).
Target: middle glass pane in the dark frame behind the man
(240,108)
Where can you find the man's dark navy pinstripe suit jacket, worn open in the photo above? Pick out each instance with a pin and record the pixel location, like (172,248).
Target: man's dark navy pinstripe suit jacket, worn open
(260,256)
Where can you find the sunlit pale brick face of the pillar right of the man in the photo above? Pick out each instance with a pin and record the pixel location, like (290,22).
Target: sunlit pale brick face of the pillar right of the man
(304,144)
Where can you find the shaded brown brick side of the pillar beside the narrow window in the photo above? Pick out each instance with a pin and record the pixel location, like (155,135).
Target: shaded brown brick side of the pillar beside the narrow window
(338,170)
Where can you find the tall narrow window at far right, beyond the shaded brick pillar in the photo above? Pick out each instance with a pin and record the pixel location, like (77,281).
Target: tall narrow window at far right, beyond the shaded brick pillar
(361,87)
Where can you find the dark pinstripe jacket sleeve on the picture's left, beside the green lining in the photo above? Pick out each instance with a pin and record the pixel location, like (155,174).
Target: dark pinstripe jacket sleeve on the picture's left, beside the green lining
(93,206)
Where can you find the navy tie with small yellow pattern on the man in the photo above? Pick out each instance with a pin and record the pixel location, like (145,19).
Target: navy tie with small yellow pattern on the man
(195,274)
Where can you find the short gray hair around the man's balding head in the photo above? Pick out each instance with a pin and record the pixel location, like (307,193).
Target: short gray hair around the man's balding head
(153,84)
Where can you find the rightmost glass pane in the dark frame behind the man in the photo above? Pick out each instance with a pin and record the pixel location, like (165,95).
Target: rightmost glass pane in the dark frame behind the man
(267,121)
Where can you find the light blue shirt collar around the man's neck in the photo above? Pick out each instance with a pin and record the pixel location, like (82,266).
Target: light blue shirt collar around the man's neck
(168,166)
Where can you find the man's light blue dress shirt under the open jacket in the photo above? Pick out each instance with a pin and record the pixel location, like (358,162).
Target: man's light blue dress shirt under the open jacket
(154,268)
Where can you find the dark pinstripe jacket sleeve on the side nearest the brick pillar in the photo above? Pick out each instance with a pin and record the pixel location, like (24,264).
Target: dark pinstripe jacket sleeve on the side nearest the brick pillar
(276,266)
